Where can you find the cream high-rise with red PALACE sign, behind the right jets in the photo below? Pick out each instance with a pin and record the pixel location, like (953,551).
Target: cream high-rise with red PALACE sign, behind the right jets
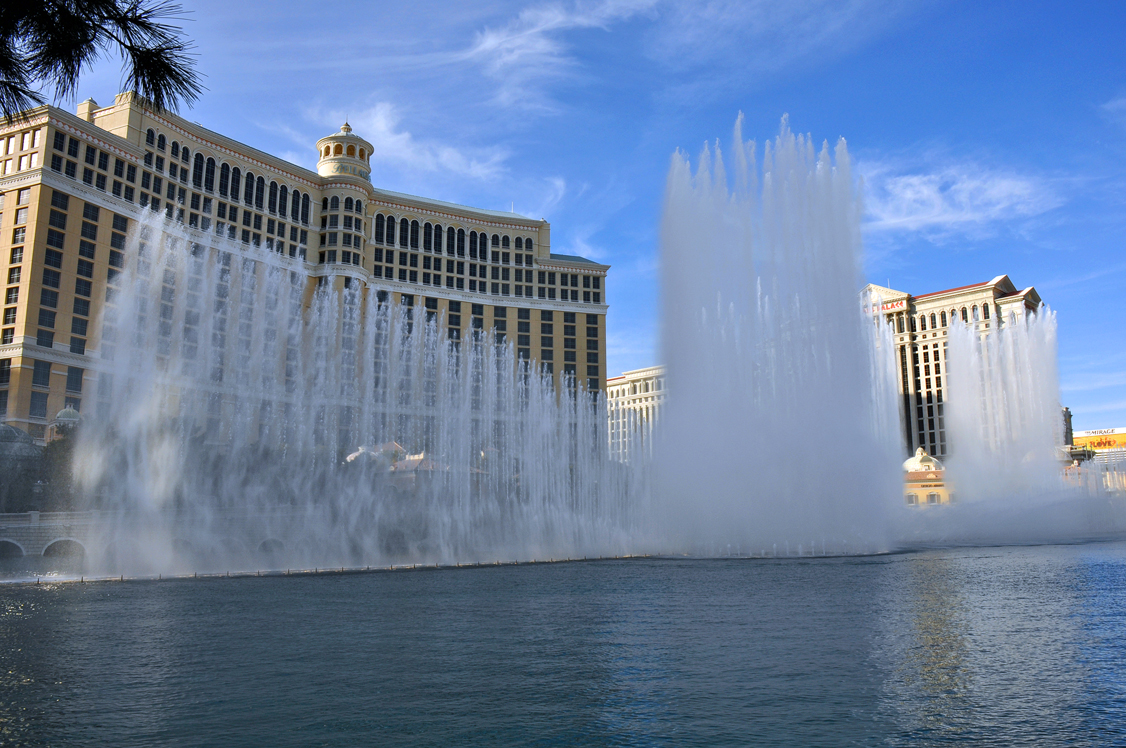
(919,330)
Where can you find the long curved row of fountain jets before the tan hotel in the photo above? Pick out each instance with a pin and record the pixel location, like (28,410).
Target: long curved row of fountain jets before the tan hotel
(243,424)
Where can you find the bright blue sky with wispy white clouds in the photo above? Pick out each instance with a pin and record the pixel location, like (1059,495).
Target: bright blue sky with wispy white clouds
(990,138)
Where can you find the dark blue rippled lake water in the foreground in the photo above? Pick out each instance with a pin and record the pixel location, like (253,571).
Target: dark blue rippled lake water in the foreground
(985,647)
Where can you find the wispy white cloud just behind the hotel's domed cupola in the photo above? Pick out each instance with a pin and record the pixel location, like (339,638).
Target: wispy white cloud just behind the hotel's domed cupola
(391,145)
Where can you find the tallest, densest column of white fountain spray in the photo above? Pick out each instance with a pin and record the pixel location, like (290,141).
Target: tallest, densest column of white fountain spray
(780,435)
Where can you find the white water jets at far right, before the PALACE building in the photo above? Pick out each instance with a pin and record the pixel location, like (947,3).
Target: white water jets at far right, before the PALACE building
(1008,467)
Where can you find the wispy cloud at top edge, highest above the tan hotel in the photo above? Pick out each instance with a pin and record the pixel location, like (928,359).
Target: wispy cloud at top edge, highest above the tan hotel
(530,51)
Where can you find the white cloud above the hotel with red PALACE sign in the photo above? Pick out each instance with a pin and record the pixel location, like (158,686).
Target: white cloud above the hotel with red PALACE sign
(952,199)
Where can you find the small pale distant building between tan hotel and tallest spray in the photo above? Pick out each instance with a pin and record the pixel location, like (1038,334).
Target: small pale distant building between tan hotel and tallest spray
(635,404)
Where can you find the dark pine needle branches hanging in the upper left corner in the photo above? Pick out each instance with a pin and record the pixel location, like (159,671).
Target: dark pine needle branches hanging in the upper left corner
(50,43)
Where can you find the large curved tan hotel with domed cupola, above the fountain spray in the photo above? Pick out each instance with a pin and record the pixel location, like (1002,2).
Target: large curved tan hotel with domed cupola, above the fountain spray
(74,186)
